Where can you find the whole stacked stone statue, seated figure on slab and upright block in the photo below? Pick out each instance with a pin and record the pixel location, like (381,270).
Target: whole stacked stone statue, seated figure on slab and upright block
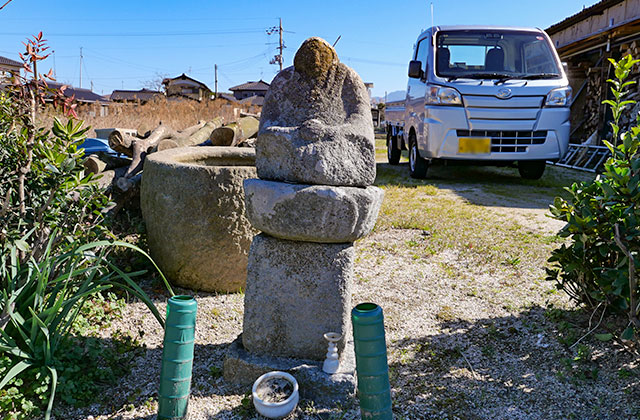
(315,159)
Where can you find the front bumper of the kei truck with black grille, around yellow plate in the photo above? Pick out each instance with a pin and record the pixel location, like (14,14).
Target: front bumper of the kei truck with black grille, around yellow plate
(545,138)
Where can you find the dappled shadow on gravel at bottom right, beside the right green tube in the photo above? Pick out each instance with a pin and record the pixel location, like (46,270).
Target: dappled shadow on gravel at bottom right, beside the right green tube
(513,367)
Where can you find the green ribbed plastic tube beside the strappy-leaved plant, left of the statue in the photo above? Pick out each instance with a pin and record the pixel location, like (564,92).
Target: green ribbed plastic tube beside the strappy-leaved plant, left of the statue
(177,358)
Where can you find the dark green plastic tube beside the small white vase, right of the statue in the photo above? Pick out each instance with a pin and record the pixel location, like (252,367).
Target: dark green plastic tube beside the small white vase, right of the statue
(374,389)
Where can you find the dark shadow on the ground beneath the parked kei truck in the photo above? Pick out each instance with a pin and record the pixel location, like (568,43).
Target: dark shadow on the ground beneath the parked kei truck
(486,185)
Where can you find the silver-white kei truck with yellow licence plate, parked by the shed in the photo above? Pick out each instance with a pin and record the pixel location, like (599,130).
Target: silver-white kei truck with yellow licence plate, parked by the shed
(482,95)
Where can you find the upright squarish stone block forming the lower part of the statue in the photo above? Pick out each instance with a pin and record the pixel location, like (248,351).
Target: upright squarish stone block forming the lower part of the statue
(296,292)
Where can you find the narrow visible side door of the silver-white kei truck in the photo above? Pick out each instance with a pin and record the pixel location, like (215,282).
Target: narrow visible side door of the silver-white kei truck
(416,90)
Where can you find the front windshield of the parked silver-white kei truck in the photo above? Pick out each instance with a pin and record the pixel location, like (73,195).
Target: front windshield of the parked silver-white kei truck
(482,54)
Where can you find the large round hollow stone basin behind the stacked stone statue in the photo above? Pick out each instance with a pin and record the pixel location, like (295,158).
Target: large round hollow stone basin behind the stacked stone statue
(192,202)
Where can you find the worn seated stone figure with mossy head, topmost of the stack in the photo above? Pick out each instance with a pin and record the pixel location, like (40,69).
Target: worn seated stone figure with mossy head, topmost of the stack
(316,125)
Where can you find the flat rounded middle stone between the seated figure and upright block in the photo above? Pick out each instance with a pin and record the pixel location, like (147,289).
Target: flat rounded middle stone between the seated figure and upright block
(313,213)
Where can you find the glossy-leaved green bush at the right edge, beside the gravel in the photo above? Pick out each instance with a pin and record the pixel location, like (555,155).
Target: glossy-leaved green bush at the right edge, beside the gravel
(598,266)
